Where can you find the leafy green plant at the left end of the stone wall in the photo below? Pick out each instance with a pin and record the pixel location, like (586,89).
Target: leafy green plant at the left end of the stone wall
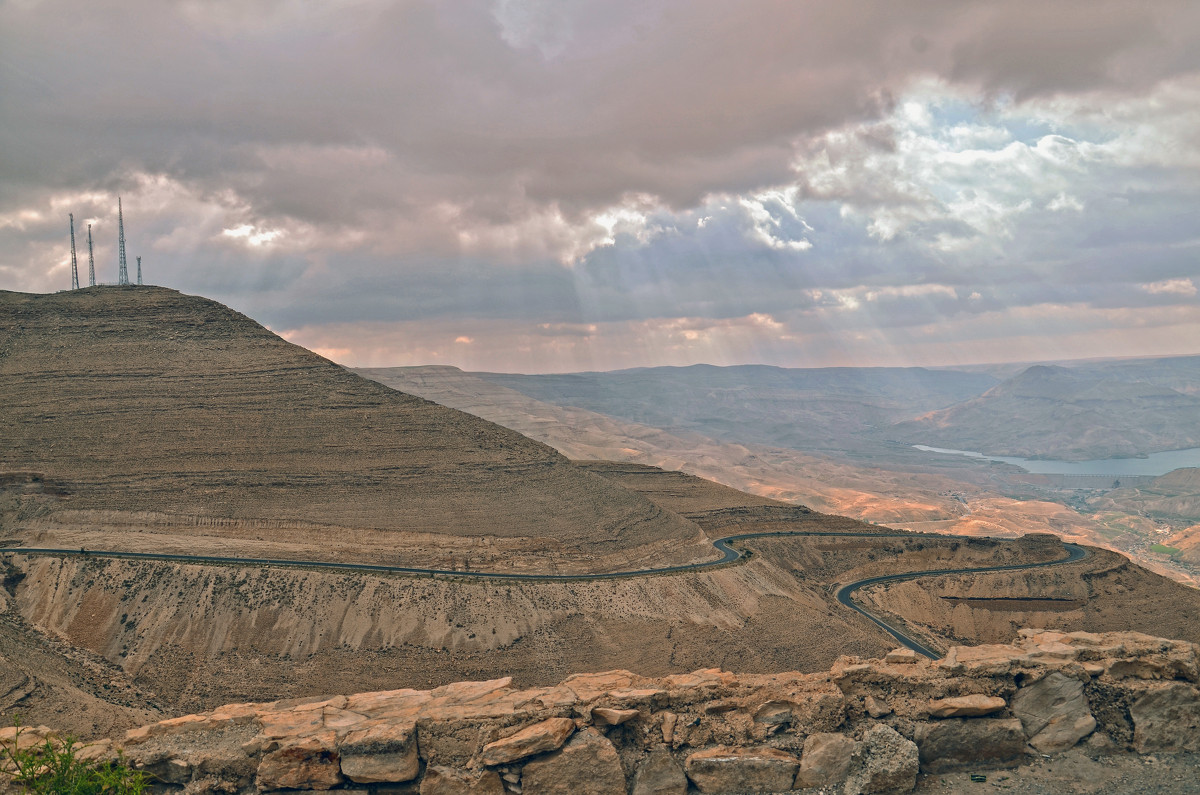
(55,768)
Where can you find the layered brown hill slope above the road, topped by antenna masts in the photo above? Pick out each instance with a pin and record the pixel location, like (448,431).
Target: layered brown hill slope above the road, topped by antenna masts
(143,408)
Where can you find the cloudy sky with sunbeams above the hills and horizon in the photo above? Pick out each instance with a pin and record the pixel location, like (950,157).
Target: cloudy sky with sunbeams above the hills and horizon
(565,186)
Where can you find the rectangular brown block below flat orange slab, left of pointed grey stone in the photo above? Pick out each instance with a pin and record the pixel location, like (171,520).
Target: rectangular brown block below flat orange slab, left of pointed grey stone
(958,744)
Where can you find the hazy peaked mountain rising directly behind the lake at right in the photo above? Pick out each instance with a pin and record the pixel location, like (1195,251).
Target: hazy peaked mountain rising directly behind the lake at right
(1057,414)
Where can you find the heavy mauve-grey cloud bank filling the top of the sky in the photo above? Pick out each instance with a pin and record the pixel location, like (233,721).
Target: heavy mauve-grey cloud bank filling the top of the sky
(675,99)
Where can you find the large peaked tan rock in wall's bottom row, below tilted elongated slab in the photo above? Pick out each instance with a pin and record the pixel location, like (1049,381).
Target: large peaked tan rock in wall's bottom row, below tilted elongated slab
(587,766)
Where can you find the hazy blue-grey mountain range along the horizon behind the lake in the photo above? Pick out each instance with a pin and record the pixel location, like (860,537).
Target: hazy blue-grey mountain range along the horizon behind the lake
(1094,410)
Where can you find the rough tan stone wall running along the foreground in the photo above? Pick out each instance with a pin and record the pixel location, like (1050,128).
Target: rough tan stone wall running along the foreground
(867,726)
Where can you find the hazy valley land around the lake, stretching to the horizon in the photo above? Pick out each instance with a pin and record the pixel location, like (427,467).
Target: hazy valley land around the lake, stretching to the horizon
(843,440)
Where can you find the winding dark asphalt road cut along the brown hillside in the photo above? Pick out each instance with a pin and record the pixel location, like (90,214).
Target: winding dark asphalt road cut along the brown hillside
(729,555)
